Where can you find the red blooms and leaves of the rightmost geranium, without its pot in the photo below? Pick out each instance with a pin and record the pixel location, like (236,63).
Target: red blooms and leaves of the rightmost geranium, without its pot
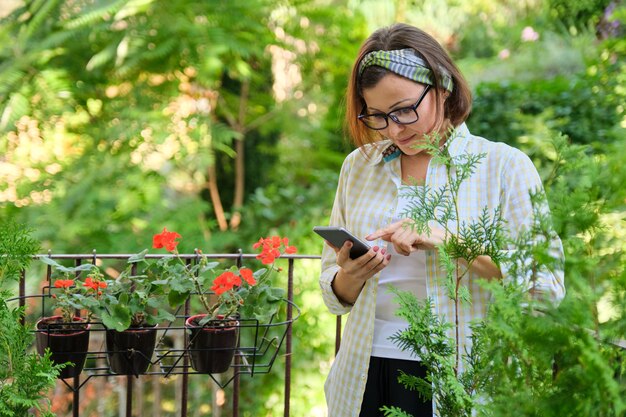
(224,293)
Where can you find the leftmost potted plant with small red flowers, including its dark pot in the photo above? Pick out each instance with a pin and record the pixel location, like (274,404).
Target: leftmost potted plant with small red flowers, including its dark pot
(66,334)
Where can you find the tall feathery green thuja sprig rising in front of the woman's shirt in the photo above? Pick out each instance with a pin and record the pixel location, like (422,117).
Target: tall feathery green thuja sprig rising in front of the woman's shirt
(463,243)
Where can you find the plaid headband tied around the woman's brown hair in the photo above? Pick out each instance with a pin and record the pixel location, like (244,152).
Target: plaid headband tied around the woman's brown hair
(406,63)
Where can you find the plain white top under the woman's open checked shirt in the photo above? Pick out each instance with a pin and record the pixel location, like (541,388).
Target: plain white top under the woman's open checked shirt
(405,273)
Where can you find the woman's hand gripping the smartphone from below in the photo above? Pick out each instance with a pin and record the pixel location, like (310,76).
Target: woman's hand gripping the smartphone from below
(353,273)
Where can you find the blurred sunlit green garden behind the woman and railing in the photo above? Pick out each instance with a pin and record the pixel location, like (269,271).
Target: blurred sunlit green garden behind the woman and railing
(223,121)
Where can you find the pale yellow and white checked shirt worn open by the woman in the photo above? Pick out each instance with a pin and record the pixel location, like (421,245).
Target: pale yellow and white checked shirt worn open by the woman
(366,201)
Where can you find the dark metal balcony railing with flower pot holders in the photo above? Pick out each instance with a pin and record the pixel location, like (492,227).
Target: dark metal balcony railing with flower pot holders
(242,364)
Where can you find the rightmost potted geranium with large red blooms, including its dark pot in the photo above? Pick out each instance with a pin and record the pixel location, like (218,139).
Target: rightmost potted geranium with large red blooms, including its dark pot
(226,297)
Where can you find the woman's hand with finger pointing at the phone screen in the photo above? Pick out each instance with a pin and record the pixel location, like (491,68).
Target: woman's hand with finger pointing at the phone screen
(406,240)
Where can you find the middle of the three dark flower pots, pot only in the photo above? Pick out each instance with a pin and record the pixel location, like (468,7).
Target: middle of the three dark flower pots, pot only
(130,352)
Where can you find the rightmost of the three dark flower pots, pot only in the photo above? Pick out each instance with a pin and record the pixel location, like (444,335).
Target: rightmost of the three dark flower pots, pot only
(212,346)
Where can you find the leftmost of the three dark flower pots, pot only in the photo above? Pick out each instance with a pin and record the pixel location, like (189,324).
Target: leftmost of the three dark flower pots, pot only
(67,343)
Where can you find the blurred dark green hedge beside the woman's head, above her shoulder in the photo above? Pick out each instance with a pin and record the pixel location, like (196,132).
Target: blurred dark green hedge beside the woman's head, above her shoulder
(585,109)
